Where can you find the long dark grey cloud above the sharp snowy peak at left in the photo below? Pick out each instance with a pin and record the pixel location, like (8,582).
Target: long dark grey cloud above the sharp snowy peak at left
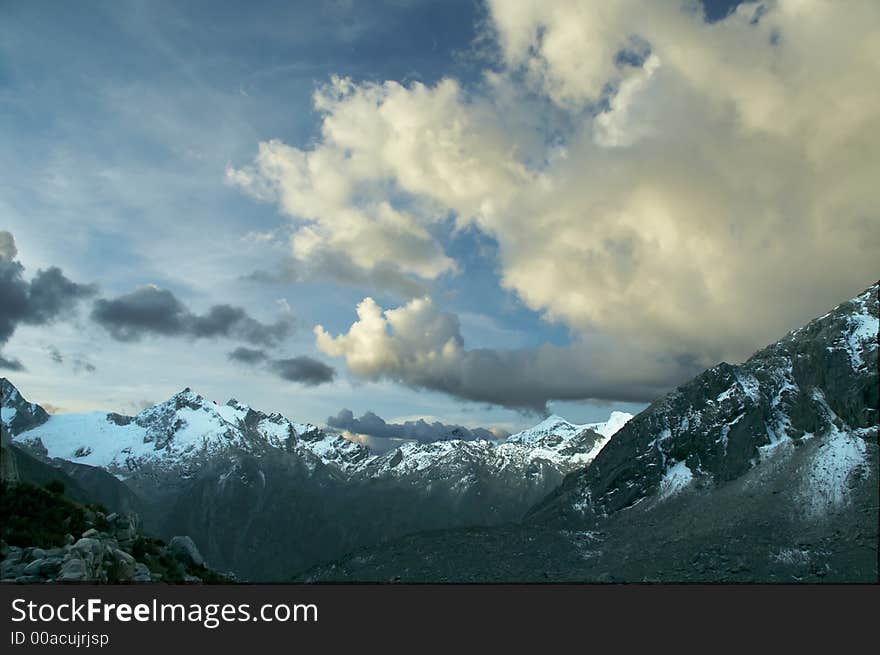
(153,311)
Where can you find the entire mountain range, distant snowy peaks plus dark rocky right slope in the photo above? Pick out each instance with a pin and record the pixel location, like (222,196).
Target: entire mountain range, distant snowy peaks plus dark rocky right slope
(762,471)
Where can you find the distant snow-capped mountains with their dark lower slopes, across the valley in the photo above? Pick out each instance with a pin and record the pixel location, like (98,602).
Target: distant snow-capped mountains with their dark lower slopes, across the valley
(264,496)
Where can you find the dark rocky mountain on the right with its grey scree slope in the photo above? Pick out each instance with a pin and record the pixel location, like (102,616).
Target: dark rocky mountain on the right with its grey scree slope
(764,471)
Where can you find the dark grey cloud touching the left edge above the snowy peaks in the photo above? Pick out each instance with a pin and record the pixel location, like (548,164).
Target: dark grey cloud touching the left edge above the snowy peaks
(47,297)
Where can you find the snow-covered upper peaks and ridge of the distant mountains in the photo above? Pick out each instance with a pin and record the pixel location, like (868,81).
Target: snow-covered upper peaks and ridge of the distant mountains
(186,431)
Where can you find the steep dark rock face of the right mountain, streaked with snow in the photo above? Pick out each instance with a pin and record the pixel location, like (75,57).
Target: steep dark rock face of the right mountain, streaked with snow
(812,394)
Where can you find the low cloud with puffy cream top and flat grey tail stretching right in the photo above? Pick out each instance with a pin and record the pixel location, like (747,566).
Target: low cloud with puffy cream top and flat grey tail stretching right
(420,346)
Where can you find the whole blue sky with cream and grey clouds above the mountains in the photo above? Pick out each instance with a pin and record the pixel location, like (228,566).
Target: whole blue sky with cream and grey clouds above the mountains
(459,212)
